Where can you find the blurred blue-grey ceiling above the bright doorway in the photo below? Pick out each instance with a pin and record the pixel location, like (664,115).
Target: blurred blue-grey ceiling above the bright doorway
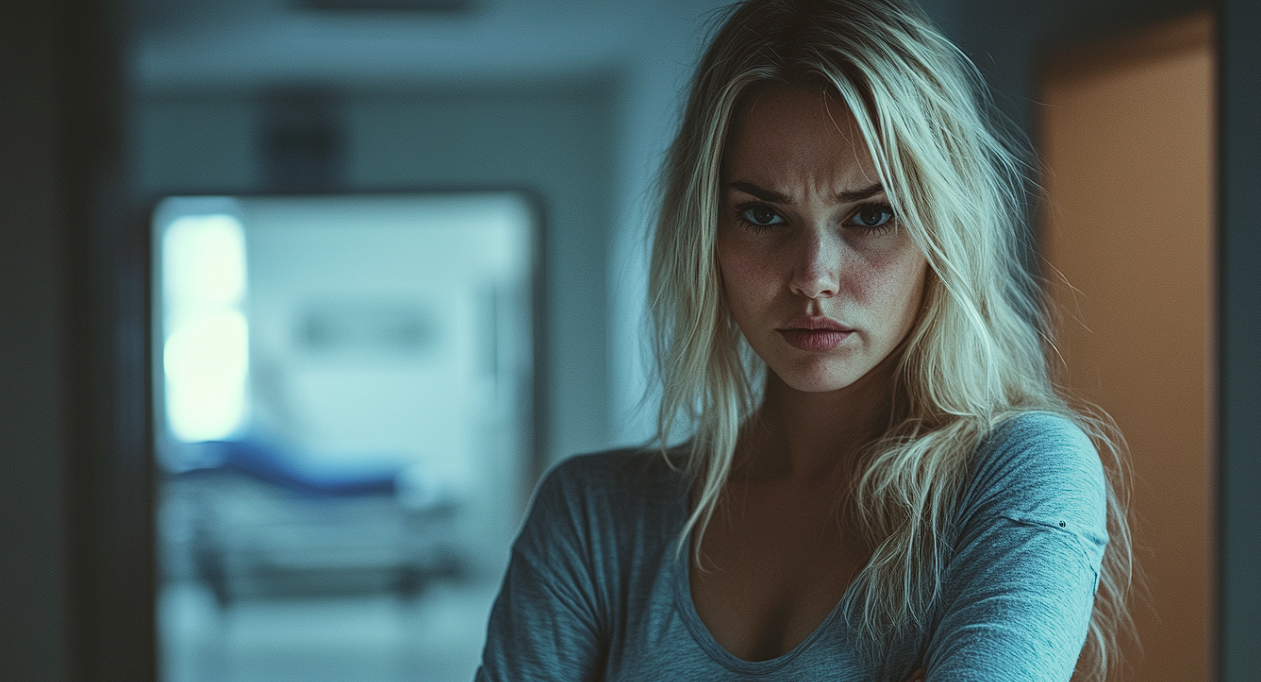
(234,43)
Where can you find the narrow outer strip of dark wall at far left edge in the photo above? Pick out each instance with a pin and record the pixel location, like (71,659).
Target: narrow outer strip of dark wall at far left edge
(35,620)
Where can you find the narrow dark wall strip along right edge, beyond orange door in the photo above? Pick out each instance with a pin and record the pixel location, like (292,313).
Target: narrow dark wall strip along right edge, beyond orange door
(1240,345)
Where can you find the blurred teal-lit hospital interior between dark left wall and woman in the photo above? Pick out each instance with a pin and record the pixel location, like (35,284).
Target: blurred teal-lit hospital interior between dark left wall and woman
(437,214)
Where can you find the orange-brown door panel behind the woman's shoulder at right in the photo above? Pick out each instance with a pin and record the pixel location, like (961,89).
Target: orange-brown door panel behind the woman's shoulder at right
(1129,239)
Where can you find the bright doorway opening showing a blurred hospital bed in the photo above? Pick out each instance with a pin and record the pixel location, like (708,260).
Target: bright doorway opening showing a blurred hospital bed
(345,425)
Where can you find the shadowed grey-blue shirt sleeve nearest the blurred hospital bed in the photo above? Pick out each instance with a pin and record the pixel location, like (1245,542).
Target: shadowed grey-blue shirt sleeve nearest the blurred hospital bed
(545,625)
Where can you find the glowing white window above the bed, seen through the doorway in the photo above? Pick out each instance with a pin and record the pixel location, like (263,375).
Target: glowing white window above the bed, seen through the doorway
(206,355)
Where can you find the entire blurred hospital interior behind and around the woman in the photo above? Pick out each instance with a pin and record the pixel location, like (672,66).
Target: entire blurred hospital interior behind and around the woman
(302,297)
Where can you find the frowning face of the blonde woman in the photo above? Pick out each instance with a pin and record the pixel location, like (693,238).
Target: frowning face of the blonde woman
(822,279)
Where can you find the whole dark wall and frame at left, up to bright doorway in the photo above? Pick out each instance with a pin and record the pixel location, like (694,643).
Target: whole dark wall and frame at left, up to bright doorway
(76,591)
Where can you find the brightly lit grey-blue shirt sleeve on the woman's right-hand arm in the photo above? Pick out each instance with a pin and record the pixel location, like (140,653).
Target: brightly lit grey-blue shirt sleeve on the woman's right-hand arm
(1021,586)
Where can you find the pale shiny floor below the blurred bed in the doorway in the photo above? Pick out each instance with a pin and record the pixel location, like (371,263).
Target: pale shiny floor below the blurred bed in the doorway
(438,637)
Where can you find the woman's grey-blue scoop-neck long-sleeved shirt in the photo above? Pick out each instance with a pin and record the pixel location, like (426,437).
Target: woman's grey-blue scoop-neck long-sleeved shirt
(596,589)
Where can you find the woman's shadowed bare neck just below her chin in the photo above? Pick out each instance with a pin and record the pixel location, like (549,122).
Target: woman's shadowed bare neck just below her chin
(816,437)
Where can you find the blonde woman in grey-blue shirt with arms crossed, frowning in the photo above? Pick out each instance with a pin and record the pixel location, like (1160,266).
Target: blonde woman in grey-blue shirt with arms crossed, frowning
(881,482)
